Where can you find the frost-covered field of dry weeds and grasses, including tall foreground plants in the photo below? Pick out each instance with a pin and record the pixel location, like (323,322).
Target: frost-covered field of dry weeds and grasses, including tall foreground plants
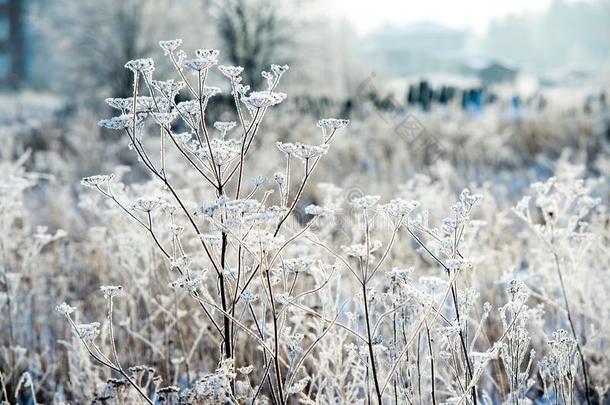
(422,258)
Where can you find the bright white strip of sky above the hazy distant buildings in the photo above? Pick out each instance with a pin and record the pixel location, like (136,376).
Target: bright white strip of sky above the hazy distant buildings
(368,15)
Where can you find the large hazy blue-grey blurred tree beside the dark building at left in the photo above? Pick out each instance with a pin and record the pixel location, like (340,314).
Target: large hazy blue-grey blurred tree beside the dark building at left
(83,45)
